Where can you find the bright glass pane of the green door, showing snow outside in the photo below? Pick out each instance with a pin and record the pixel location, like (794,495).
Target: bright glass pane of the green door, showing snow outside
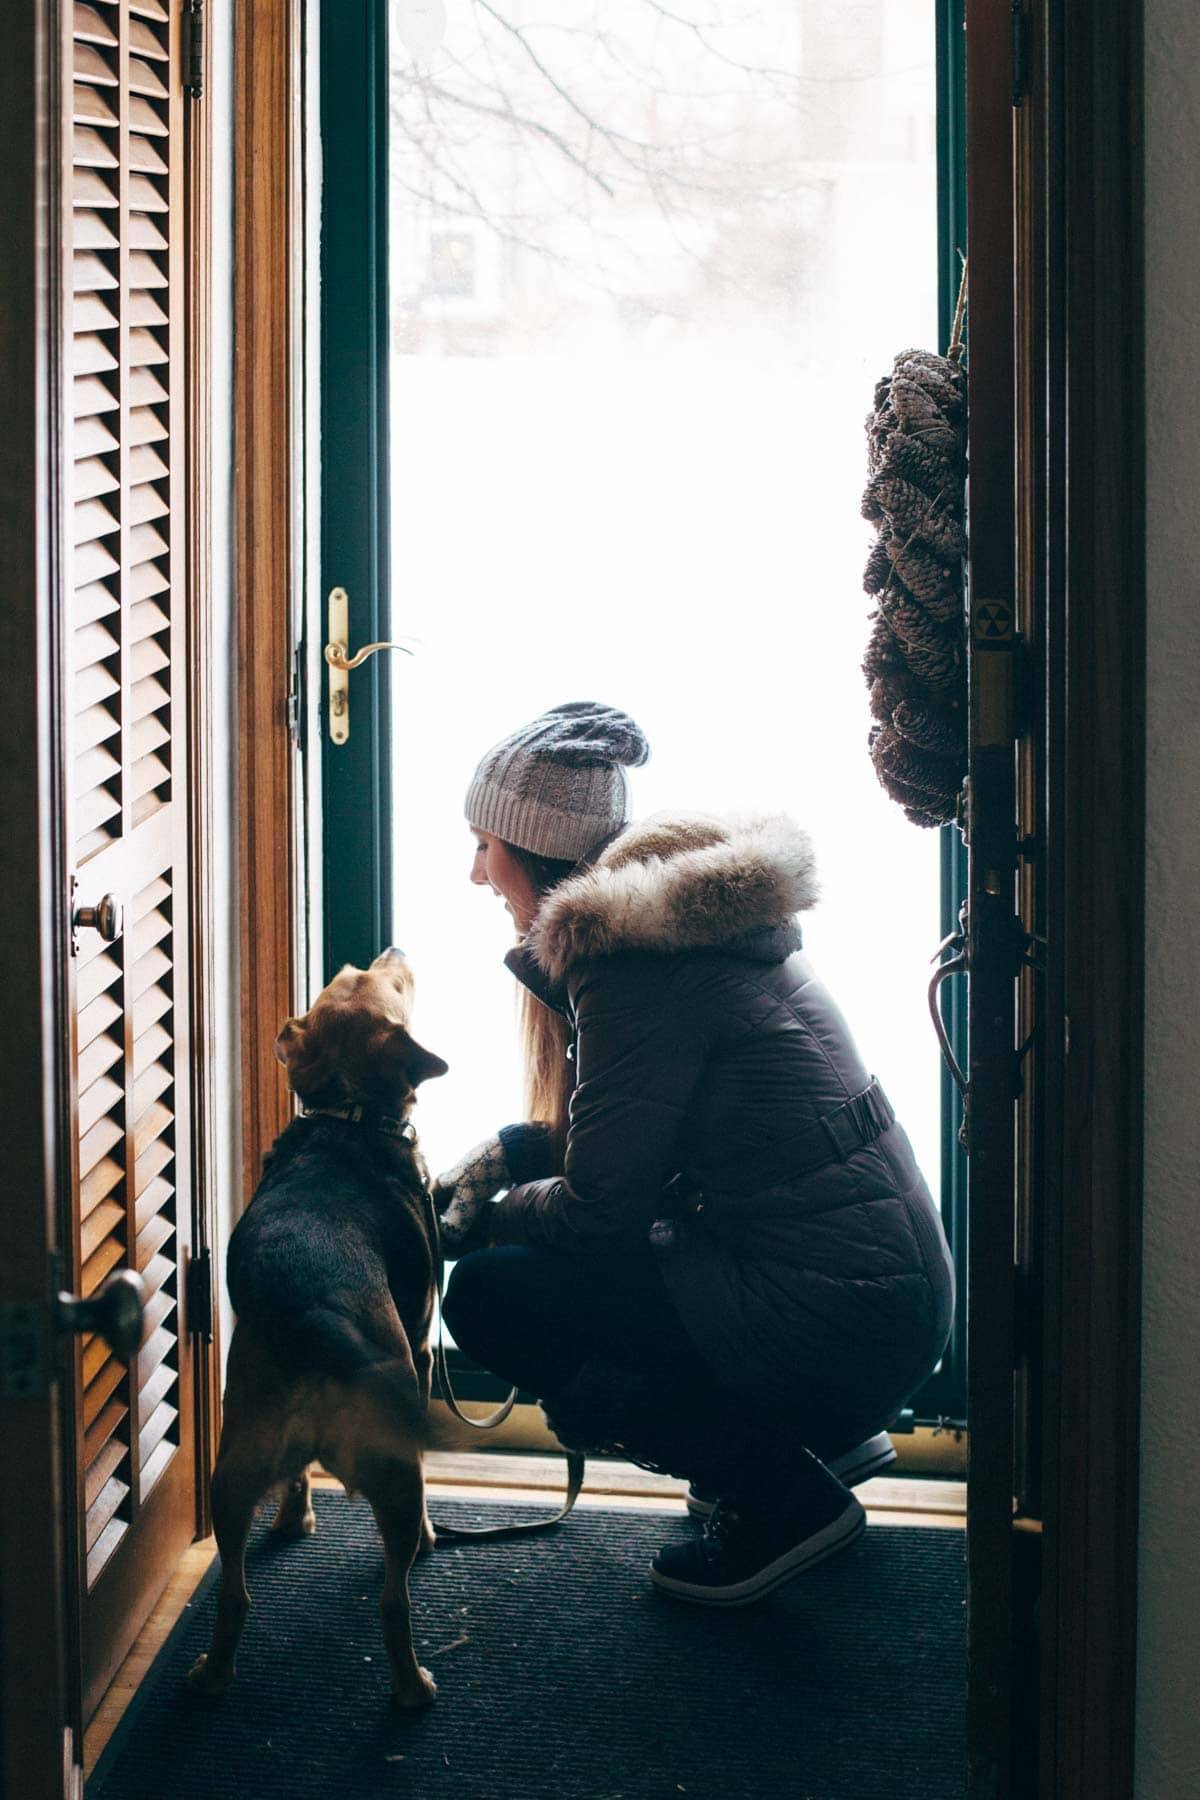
(647,267)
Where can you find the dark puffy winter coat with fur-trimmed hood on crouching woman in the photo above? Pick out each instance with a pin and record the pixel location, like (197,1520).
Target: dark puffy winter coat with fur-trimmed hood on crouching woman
(807,1261)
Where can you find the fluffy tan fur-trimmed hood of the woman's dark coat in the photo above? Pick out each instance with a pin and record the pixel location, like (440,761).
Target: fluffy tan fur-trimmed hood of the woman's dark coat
(679,883)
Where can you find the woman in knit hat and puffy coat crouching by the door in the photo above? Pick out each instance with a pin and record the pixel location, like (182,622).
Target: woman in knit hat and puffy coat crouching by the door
(715,1250)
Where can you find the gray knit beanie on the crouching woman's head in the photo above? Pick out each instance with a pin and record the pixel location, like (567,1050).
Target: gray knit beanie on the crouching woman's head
(557,787)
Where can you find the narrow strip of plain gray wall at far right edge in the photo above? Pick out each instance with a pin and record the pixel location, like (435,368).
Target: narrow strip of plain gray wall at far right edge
(1169,1720)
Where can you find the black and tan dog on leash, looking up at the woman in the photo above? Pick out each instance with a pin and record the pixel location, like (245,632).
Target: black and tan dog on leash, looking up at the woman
(332,1279)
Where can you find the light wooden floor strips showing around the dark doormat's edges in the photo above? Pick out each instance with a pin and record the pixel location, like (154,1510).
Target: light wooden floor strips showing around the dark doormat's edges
(510,1477)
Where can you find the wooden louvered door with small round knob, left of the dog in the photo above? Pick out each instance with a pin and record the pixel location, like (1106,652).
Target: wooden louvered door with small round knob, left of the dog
(129,802)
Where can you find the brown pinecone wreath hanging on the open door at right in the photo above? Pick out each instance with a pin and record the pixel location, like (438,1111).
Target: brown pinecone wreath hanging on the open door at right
(917,656)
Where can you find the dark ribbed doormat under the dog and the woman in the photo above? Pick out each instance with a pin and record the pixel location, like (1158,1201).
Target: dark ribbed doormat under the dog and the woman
(562,1675)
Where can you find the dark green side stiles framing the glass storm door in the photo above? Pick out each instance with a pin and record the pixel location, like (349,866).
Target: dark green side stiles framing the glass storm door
(355,553)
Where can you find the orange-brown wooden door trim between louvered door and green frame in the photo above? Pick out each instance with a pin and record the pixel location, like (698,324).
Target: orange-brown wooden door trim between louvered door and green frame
(269,237)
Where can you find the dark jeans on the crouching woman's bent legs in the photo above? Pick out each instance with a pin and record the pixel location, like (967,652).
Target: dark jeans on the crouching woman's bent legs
(535,1317)
